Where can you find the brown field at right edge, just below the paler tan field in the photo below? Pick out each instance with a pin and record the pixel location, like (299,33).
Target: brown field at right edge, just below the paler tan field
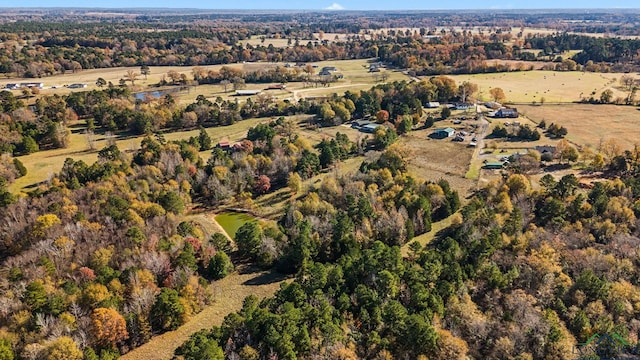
(588,125)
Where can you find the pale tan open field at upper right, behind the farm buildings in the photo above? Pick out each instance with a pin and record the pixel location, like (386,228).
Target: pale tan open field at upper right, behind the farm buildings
(554,86)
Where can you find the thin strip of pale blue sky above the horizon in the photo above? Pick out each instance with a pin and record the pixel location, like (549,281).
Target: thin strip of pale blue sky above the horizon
(329,4)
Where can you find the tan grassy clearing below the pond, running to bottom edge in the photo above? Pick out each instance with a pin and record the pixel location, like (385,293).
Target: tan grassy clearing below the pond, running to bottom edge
(229,294)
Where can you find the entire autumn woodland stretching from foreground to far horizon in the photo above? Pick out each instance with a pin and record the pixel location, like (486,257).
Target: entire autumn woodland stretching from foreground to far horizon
(100,257)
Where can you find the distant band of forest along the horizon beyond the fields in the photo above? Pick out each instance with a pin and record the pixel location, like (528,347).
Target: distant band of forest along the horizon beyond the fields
(432,46)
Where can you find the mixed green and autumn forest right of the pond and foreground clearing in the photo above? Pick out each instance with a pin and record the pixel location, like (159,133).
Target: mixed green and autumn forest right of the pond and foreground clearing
(520,273)
